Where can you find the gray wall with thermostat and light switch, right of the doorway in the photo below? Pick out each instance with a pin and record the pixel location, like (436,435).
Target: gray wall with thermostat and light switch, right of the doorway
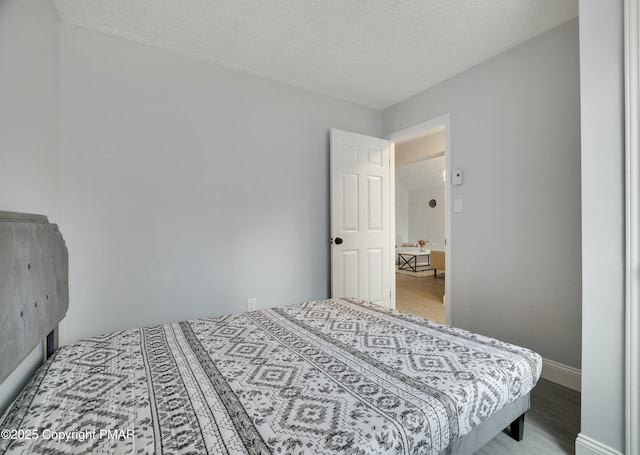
(516,248)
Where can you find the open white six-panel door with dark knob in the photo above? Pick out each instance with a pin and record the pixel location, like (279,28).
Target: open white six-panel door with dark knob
(361,239)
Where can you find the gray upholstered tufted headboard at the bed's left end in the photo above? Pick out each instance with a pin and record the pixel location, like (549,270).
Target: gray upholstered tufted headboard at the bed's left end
(34,285)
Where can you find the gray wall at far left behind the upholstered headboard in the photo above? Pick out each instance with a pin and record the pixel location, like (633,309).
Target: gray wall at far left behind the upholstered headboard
(29,125)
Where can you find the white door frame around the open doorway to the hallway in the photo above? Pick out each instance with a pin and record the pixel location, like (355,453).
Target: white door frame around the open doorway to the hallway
(421,129)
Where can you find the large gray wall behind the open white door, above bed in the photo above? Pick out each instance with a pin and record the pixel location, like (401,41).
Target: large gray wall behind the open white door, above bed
(188,188)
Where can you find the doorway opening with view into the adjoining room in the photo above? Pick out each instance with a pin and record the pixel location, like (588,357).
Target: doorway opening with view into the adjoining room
(420,161)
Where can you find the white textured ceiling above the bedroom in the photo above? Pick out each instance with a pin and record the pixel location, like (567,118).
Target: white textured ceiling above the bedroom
(371,52)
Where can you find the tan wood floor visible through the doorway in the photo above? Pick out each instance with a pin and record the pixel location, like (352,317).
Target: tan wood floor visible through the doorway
(421,296)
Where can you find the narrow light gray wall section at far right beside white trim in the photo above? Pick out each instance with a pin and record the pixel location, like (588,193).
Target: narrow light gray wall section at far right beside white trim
(602,91)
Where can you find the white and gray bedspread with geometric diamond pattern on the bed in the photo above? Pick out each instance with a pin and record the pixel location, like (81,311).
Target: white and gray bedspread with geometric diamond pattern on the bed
(334,376)
